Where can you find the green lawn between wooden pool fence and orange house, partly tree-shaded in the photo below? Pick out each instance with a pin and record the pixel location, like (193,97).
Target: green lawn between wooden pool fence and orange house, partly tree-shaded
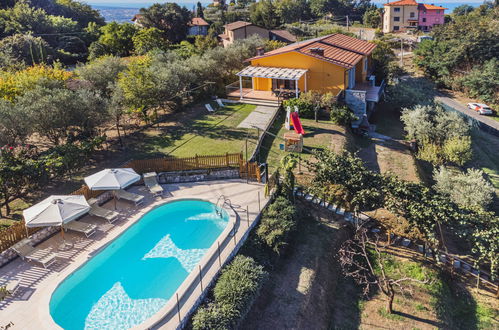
(204,134)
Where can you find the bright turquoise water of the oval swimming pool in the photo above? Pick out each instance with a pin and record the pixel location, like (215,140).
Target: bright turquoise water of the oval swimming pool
(134,276)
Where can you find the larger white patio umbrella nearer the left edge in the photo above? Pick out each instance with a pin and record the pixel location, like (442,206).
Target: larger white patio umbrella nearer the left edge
(56,211)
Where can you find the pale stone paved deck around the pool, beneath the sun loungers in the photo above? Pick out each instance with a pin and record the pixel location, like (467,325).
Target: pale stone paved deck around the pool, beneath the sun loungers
(28,309)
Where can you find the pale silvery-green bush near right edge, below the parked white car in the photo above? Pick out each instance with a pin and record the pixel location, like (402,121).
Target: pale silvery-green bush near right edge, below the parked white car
(470,189)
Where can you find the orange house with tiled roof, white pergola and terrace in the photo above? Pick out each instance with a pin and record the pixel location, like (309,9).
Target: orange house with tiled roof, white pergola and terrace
(335,63)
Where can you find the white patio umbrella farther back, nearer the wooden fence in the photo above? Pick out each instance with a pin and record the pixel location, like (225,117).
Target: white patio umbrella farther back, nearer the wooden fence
(112,179)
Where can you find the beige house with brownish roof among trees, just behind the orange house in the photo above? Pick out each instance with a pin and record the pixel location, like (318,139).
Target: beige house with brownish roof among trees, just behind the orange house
(242,30)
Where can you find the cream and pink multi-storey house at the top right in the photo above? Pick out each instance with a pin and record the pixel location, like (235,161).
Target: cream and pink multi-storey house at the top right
(405,15)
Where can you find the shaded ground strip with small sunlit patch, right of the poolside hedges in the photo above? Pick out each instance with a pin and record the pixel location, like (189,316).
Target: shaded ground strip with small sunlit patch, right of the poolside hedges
(298,292)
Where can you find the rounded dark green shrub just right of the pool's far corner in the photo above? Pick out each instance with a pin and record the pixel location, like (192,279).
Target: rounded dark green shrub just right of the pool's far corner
(277,224)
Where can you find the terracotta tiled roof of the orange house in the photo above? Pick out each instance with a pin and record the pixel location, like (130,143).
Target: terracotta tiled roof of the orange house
(338,49)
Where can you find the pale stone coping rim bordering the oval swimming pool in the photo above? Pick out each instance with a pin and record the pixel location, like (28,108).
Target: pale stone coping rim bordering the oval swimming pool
(44,309)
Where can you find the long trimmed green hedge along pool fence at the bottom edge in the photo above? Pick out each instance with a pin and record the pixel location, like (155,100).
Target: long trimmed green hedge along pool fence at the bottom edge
(234,292)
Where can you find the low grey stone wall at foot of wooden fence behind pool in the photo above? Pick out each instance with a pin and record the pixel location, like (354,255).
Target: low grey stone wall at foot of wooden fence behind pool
(198,175)
